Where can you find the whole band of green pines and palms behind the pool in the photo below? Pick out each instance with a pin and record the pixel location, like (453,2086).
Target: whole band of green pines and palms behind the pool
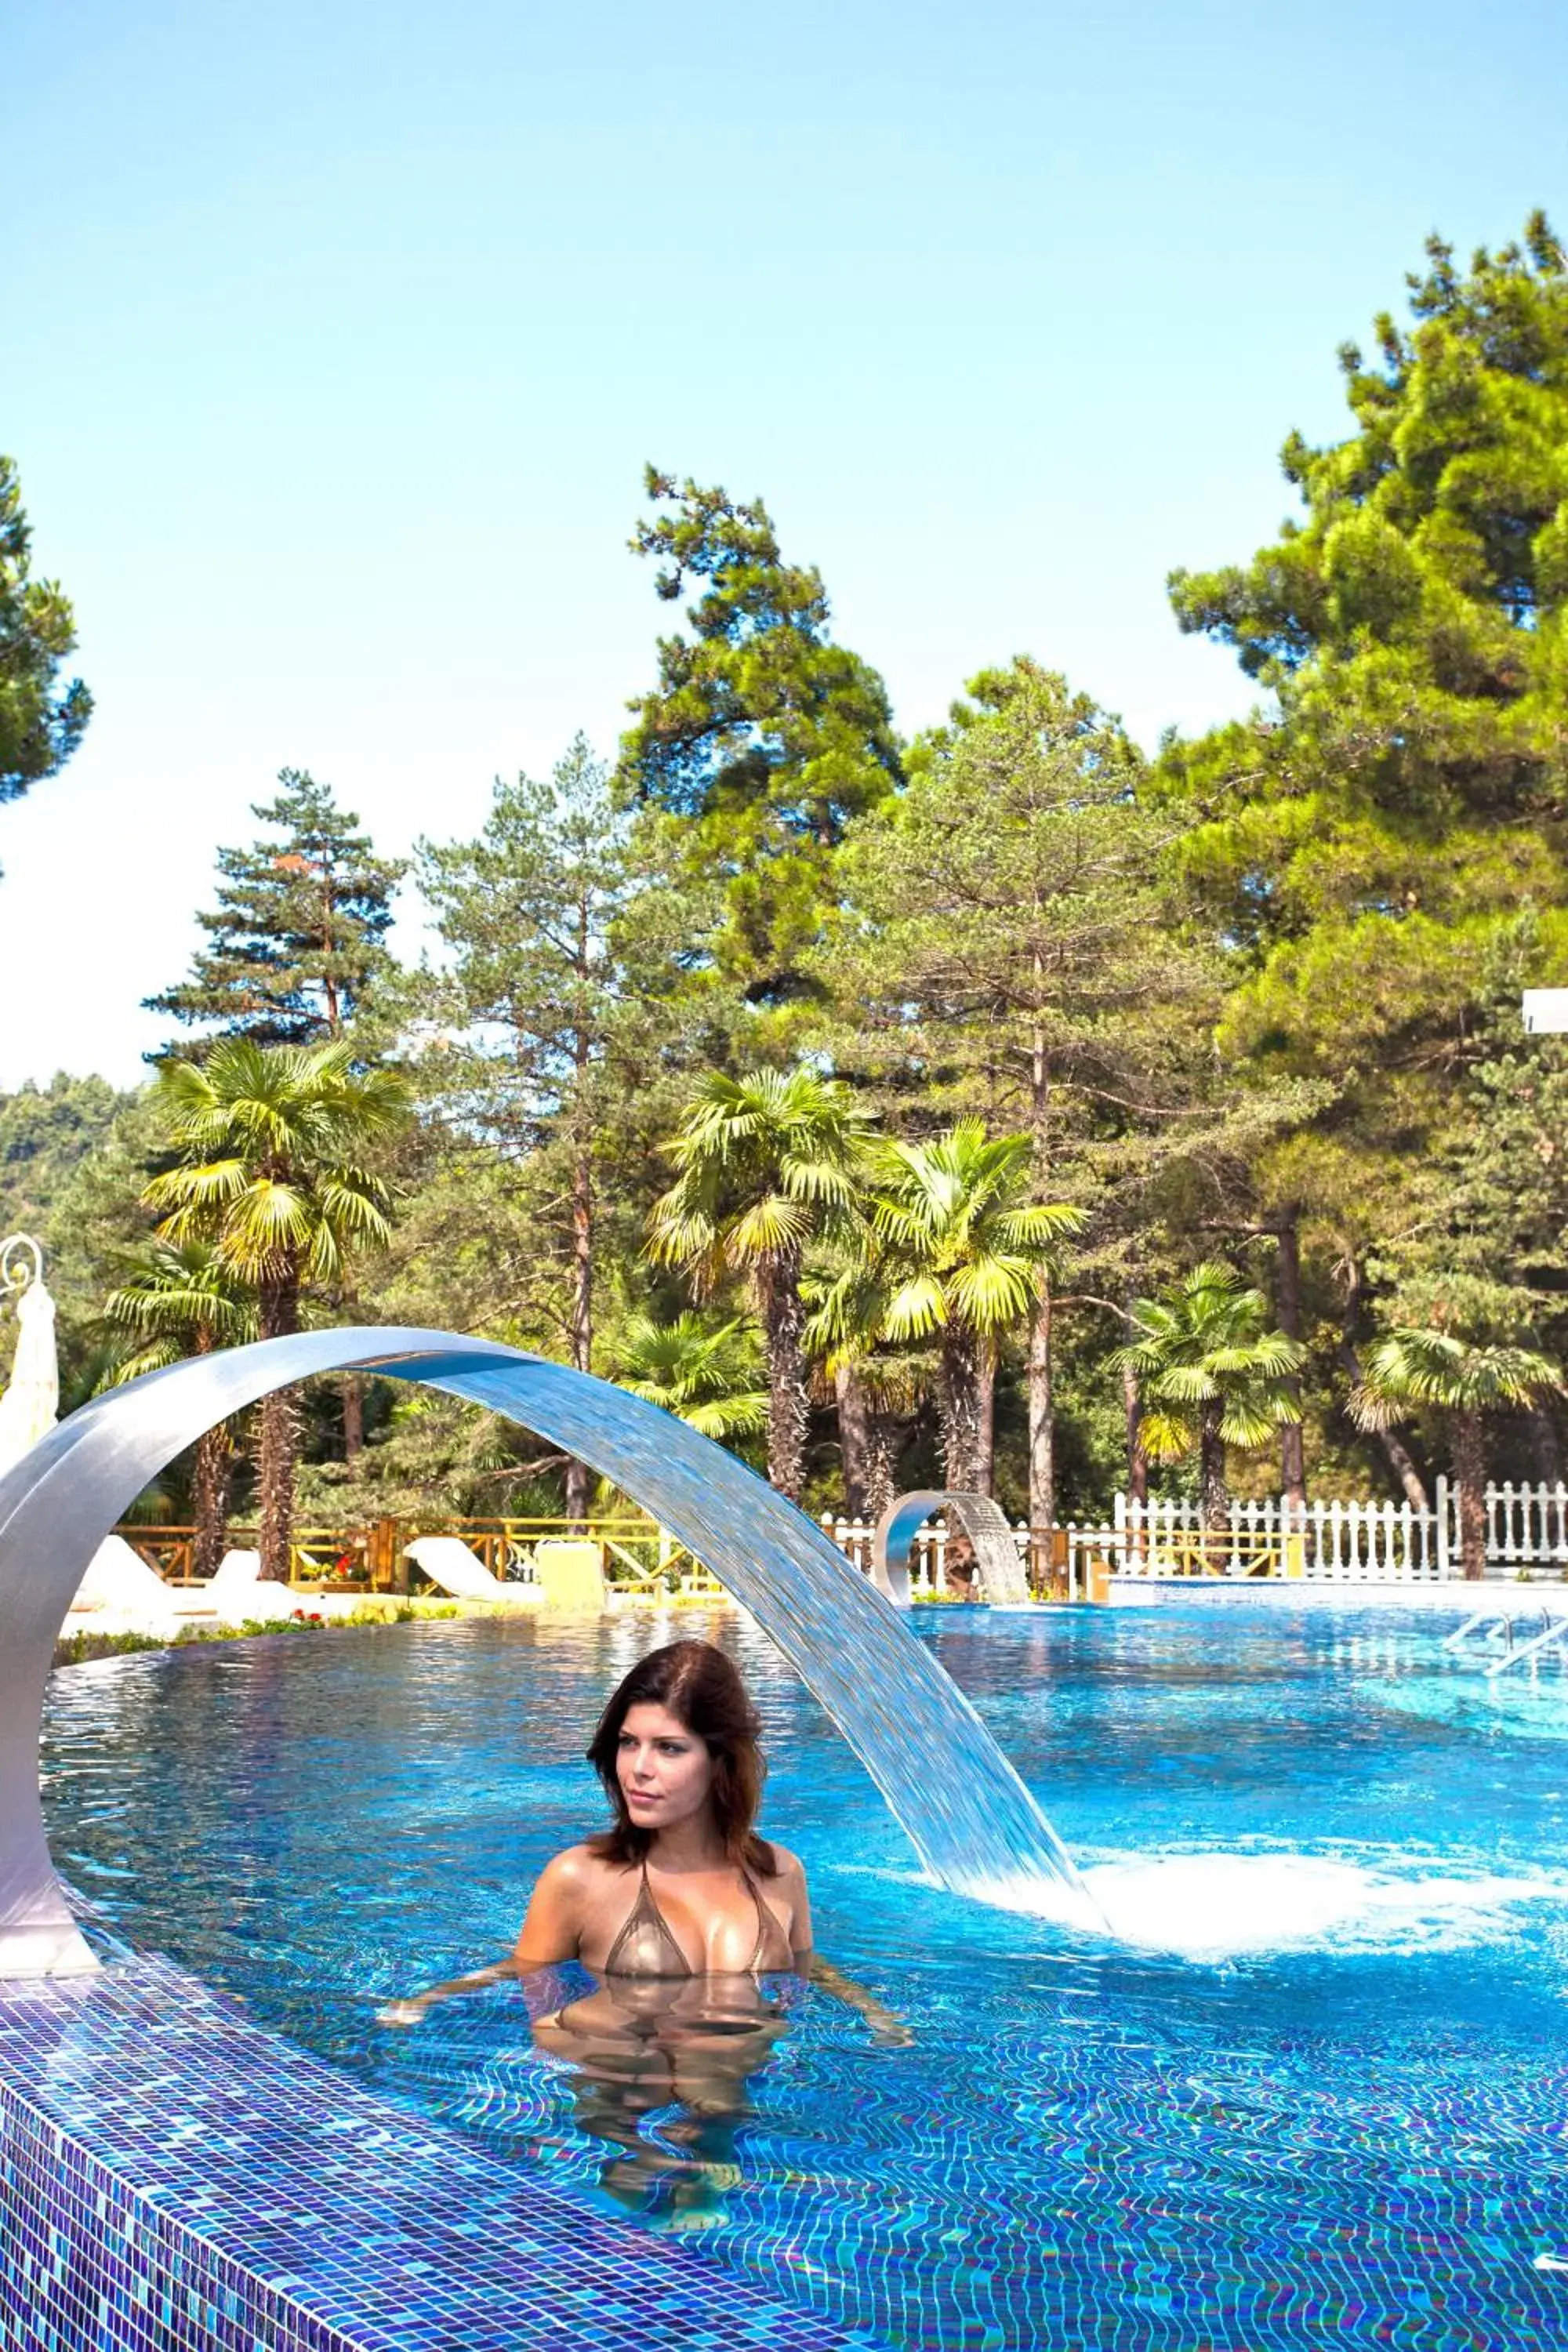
(960,1053)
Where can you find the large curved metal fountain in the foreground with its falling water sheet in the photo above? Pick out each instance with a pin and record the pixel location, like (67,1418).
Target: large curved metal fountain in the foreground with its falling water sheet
(963,1805)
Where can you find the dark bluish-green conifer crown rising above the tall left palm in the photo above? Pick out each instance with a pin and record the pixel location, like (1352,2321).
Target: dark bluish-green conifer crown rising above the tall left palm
(300,930)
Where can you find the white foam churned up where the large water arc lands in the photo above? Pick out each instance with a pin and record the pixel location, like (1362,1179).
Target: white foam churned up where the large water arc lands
(1228,1906)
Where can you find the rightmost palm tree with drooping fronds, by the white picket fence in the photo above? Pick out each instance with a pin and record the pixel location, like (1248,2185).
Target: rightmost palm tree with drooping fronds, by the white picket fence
(1468,1382)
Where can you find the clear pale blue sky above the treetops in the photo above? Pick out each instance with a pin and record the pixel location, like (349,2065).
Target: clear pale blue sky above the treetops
(337,338)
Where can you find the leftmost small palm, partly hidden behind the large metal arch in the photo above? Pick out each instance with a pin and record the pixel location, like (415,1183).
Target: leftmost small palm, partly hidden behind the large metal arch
(182,1299)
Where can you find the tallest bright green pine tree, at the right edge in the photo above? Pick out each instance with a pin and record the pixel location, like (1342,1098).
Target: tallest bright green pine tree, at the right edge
(1381,846)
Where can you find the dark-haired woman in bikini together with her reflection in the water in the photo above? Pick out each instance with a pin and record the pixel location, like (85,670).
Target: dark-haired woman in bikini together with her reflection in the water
(678,1911)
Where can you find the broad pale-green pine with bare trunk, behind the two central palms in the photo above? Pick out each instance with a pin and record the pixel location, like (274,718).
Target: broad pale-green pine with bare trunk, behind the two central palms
(1010,947)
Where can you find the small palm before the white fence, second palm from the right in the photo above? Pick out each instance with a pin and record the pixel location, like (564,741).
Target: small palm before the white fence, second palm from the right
(1212,1375)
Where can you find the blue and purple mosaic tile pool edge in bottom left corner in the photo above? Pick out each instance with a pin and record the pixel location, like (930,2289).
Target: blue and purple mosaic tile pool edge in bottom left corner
(177,2181)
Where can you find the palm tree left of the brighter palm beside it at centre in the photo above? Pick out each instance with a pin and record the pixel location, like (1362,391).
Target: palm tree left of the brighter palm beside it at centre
(765,1161)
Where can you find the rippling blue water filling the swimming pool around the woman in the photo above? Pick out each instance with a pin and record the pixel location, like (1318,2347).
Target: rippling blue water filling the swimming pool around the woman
(1315,2102)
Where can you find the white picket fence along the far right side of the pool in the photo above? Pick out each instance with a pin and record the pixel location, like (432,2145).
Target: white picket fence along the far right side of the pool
(1527,1535)
